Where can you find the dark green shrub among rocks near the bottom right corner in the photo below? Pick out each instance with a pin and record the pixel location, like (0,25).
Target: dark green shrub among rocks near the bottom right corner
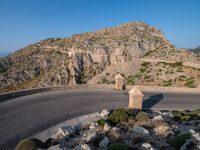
(179,140)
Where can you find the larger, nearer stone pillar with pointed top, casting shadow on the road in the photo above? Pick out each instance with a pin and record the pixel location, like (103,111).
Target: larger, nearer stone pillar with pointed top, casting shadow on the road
(135,98)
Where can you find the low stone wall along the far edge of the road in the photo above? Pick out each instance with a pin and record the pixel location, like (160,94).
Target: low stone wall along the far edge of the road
(15,94)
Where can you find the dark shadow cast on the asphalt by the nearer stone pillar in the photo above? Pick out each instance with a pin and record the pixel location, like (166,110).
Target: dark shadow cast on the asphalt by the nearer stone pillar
(152,100)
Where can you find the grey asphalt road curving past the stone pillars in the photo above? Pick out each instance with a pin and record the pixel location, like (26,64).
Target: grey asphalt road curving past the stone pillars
(24,116)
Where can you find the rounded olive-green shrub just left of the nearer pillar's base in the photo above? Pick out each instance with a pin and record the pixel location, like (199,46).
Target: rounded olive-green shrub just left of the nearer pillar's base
(118,116)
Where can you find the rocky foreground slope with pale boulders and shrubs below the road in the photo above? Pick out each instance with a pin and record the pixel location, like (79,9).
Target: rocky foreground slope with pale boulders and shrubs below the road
(127,130)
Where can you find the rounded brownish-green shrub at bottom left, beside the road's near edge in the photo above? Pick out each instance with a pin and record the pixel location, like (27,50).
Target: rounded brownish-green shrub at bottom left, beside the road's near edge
(30,144)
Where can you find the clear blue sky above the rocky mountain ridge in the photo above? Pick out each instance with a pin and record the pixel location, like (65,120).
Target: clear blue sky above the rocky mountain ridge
(23,22)
